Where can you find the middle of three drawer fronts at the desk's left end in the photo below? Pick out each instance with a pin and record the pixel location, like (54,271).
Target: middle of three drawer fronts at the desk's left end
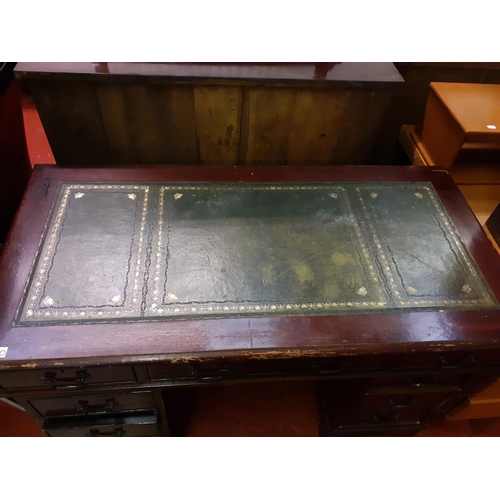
(94,403)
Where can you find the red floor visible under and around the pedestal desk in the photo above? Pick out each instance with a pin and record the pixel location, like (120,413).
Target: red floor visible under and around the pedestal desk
(270,409)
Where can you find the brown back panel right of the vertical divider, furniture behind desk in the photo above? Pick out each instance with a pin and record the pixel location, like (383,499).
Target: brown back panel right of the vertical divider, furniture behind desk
(299,127)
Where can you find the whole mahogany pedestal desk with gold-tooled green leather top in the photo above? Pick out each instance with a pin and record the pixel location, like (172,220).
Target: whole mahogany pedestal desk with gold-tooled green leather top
(121,286)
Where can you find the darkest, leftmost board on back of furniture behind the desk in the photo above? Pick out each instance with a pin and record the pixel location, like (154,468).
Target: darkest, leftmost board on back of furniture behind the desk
(72,120)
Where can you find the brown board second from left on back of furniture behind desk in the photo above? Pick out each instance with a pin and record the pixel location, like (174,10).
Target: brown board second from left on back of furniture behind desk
(151,123)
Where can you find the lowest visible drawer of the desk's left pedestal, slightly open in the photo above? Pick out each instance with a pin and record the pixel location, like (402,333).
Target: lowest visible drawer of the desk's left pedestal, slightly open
(131,425)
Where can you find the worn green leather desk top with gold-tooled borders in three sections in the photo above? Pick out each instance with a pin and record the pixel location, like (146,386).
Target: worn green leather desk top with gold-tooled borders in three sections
(116,252)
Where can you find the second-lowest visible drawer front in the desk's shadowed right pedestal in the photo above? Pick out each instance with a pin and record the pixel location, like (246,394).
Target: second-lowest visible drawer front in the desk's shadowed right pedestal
(400,401)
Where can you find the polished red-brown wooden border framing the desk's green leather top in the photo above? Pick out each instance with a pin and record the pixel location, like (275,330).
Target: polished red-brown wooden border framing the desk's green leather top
(261,338)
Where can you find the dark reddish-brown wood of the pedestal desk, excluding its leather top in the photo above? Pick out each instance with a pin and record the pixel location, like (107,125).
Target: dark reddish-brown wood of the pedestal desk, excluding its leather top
(379,373)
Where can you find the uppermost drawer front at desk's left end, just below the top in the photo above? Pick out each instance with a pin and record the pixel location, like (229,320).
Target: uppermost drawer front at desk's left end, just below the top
(67,377)
